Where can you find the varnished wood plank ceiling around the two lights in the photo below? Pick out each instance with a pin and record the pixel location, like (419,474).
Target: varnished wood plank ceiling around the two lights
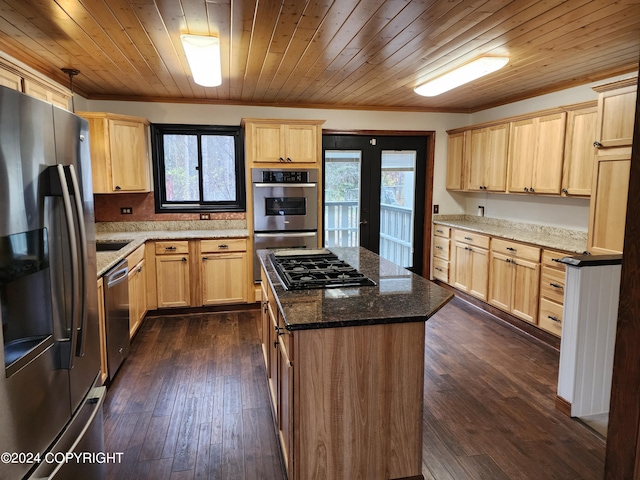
(364,54)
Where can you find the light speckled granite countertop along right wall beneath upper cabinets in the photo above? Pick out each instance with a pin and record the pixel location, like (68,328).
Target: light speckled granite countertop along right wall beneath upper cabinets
(574,241)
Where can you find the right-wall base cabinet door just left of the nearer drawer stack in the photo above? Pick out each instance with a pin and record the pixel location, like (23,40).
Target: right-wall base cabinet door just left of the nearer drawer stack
(526,280)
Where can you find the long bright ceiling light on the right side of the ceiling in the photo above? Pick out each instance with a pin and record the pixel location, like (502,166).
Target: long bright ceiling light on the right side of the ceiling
(466,73)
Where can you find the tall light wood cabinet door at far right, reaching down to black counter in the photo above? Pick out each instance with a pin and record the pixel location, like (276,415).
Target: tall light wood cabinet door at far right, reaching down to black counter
(608,206)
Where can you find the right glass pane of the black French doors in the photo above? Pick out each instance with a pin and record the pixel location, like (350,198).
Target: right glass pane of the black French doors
(397,206)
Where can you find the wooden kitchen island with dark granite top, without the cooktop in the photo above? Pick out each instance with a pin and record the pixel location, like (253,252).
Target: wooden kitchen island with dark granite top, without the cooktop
(345,369)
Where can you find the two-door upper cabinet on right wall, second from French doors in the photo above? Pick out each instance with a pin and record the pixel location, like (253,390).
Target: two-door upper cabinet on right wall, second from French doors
(486,158)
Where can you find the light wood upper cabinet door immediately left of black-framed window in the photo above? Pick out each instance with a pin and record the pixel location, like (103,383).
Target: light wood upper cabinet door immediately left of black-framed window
(127,142)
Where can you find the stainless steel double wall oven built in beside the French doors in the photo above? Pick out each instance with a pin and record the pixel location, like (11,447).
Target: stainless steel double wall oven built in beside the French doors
(285,210)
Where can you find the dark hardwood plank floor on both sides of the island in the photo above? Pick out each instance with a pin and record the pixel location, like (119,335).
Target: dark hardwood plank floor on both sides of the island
(191,402)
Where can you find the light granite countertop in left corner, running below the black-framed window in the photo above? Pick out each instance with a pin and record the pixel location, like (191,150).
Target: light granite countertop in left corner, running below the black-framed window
(107,260)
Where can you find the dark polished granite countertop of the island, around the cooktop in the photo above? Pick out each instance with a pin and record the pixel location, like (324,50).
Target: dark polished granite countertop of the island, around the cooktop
(399,296)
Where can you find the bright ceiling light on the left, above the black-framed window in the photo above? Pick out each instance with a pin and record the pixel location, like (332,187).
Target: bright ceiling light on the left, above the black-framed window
(203,55)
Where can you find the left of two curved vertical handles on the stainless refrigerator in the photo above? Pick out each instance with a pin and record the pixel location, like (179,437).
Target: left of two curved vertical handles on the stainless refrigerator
(71,230)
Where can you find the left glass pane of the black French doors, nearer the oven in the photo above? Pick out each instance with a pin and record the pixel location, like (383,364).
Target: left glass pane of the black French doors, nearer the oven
(342,179)
